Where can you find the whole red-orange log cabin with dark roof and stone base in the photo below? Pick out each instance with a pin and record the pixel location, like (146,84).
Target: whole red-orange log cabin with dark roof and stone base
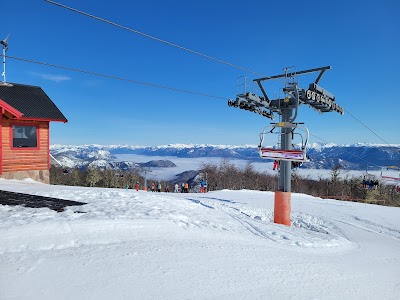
(26,112)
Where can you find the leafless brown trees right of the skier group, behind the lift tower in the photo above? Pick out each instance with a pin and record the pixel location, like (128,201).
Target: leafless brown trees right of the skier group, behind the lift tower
(227,176)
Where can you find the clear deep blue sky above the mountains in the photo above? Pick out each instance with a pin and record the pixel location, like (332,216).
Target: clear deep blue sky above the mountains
(358,39)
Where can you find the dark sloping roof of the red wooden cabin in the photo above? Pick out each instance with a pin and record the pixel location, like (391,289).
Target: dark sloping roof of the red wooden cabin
(31,101)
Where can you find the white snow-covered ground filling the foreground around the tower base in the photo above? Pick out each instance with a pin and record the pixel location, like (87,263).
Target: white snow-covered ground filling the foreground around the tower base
(218,245)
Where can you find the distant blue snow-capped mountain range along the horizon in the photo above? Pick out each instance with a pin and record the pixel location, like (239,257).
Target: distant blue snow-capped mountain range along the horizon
(323,156)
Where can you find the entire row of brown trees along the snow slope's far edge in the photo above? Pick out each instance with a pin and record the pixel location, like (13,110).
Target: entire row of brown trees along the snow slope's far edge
(226,175)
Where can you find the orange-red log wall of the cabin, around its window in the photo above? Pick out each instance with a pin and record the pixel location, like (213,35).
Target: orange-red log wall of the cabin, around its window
(25,159)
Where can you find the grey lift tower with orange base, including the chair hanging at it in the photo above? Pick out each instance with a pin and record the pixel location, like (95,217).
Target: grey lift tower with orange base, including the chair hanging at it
(315,97)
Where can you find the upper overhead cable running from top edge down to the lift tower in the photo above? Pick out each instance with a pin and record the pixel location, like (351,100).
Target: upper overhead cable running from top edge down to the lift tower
(153,37)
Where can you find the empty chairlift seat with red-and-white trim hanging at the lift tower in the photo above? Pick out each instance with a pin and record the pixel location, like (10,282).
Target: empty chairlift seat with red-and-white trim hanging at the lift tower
(294,155)
